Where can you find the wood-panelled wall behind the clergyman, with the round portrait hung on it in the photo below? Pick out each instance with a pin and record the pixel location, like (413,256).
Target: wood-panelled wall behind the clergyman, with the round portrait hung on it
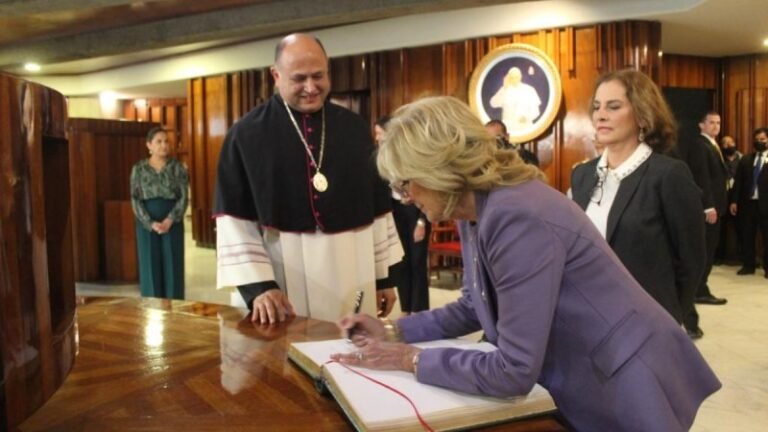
(392,78)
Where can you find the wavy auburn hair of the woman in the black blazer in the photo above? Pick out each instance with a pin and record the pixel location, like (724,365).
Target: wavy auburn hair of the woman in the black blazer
(650,109)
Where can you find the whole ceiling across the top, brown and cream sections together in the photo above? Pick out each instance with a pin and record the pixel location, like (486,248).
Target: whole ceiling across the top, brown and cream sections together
(87,45)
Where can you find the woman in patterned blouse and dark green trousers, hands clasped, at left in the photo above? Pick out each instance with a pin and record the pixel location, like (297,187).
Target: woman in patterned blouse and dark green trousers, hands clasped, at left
(159,199)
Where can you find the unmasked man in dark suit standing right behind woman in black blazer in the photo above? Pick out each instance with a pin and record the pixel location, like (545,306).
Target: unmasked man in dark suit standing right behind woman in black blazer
(705,160)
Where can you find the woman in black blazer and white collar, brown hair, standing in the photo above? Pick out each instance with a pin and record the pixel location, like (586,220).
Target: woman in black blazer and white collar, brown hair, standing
(645,204)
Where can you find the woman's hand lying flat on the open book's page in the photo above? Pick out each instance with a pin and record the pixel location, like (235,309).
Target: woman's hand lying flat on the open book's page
(374,354)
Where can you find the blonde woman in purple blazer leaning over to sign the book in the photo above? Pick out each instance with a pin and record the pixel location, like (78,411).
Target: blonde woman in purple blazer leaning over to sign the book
(539,280)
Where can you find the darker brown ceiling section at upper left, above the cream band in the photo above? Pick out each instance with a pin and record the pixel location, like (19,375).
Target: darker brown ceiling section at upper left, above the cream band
(68,33)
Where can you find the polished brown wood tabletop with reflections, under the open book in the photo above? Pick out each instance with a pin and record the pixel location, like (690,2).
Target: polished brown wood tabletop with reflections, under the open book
(161,365)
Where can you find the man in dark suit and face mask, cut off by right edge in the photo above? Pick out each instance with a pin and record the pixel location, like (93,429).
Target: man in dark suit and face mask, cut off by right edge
(749,201)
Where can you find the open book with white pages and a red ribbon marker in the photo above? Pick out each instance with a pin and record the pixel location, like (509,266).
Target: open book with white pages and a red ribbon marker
(373,407)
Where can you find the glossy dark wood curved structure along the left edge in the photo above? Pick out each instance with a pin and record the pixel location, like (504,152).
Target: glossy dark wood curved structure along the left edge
(37,289)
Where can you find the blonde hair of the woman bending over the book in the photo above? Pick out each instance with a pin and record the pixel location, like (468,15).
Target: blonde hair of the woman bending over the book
(439,143)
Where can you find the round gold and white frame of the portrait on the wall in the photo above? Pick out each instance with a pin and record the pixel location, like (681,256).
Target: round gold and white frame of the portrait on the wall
(551,106)
